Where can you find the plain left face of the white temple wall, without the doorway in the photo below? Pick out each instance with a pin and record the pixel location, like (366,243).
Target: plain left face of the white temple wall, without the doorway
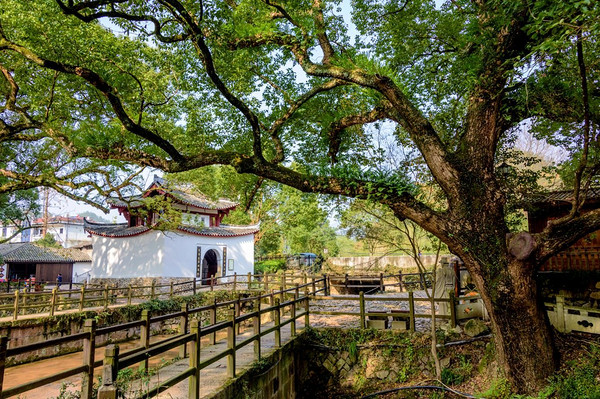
(137,256)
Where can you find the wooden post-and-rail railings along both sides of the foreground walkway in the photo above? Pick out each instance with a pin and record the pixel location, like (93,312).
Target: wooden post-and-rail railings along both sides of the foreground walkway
(190,331)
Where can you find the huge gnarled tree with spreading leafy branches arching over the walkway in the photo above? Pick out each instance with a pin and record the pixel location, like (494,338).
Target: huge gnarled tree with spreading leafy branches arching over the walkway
(263,85)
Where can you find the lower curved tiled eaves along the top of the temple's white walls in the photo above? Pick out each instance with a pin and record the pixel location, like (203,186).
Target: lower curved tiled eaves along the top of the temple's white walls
(122,230)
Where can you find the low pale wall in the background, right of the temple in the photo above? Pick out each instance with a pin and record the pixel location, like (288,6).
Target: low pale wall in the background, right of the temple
(375,264)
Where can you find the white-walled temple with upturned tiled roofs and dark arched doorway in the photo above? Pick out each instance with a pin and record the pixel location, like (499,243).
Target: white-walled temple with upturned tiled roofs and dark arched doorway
(200,247)
